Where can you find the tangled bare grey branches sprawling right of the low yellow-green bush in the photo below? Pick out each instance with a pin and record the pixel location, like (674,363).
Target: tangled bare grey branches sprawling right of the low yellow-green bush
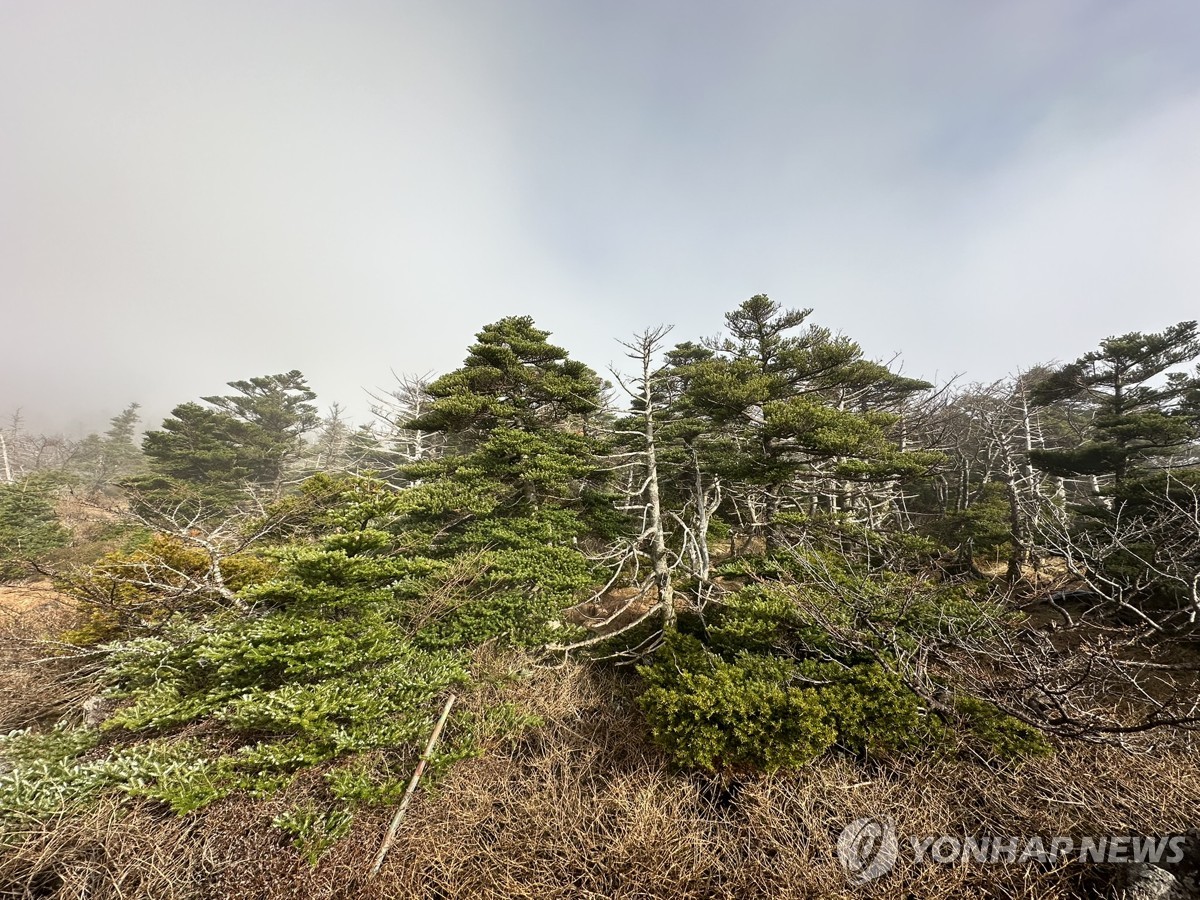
(1075,682)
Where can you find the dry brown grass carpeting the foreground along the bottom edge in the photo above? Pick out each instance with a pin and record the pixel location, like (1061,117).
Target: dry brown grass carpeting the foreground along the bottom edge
(584,808)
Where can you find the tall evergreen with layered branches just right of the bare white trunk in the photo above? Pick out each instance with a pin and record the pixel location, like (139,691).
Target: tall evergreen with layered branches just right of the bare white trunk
(808,416)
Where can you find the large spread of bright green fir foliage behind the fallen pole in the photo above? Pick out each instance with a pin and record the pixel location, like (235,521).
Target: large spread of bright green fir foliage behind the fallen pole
(350,647)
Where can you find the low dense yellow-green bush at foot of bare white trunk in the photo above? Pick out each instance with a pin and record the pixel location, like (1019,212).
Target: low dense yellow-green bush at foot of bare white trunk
(787,669)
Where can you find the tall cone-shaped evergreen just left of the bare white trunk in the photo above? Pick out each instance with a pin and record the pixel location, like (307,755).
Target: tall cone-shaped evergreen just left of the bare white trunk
(520,487)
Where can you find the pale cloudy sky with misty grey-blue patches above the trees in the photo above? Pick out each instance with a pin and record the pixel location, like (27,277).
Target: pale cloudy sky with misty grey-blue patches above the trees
(197,191)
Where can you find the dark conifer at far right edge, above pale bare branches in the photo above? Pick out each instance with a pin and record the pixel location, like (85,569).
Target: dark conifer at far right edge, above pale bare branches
(1137,435)
